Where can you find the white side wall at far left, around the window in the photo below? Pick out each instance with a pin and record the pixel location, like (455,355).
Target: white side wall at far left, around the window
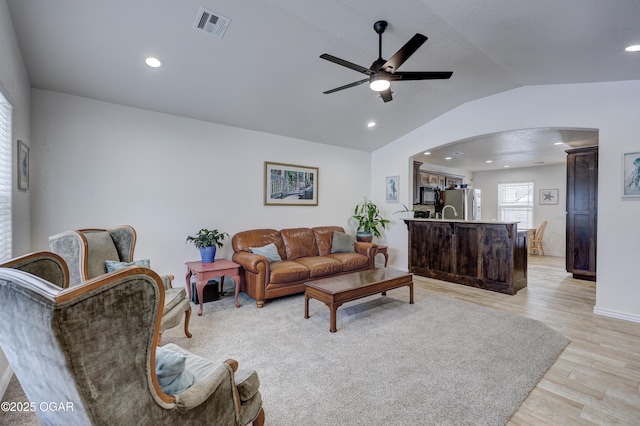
(14,85)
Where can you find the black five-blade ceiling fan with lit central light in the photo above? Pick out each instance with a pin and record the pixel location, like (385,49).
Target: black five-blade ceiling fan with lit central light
(382,72)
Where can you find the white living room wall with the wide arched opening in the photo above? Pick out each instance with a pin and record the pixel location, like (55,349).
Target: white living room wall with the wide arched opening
(611,108)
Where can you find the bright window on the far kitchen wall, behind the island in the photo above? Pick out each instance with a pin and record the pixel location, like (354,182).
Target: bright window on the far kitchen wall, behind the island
(515,203)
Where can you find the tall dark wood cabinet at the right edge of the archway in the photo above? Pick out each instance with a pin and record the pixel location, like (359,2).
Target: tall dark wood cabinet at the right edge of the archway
(582,212)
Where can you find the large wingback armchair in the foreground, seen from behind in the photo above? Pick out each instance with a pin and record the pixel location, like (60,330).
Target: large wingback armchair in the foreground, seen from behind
(92,350)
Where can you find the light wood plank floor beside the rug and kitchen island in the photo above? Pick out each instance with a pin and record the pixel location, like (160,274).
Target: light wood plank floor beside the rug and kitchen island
(596,379)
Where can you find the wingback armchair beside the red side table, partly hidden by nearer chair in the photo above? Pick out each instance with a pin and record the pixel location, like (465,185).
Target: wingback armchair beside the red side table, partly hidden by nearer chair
(86,252)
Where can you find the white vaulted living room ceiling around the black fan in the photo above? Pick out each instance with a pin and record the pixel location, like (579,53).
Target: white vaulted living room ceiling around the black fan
(265,74)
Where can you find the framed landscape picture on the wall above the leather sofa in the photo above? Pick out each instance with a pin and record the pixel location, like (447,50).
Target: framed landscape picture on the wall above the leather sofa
(290,185)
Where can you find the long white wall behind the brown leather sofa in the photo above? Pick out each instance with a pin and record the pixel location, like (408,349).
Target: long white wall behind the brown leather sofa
(101,165)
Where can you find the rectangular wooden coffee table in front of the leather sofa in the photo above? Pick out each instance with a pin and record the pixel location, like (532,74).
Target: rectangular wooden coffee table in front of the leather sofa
(335,291)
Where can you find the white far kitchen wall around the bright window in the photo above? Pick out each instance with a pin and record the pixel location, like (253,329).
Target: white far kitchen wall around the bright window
(544,177)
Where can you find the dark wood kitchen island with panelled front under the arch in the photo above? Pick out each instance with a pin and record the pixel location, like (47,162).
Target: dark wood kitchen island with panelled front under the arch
(487,255)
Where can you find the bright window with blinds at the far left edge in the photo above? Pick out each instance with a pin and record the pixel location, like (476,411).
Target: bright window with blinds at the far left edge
(5,179)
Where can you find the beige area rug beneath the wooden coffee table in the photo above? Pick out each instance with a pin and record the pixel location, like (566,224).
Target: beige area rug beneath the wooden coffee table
(438,362)
